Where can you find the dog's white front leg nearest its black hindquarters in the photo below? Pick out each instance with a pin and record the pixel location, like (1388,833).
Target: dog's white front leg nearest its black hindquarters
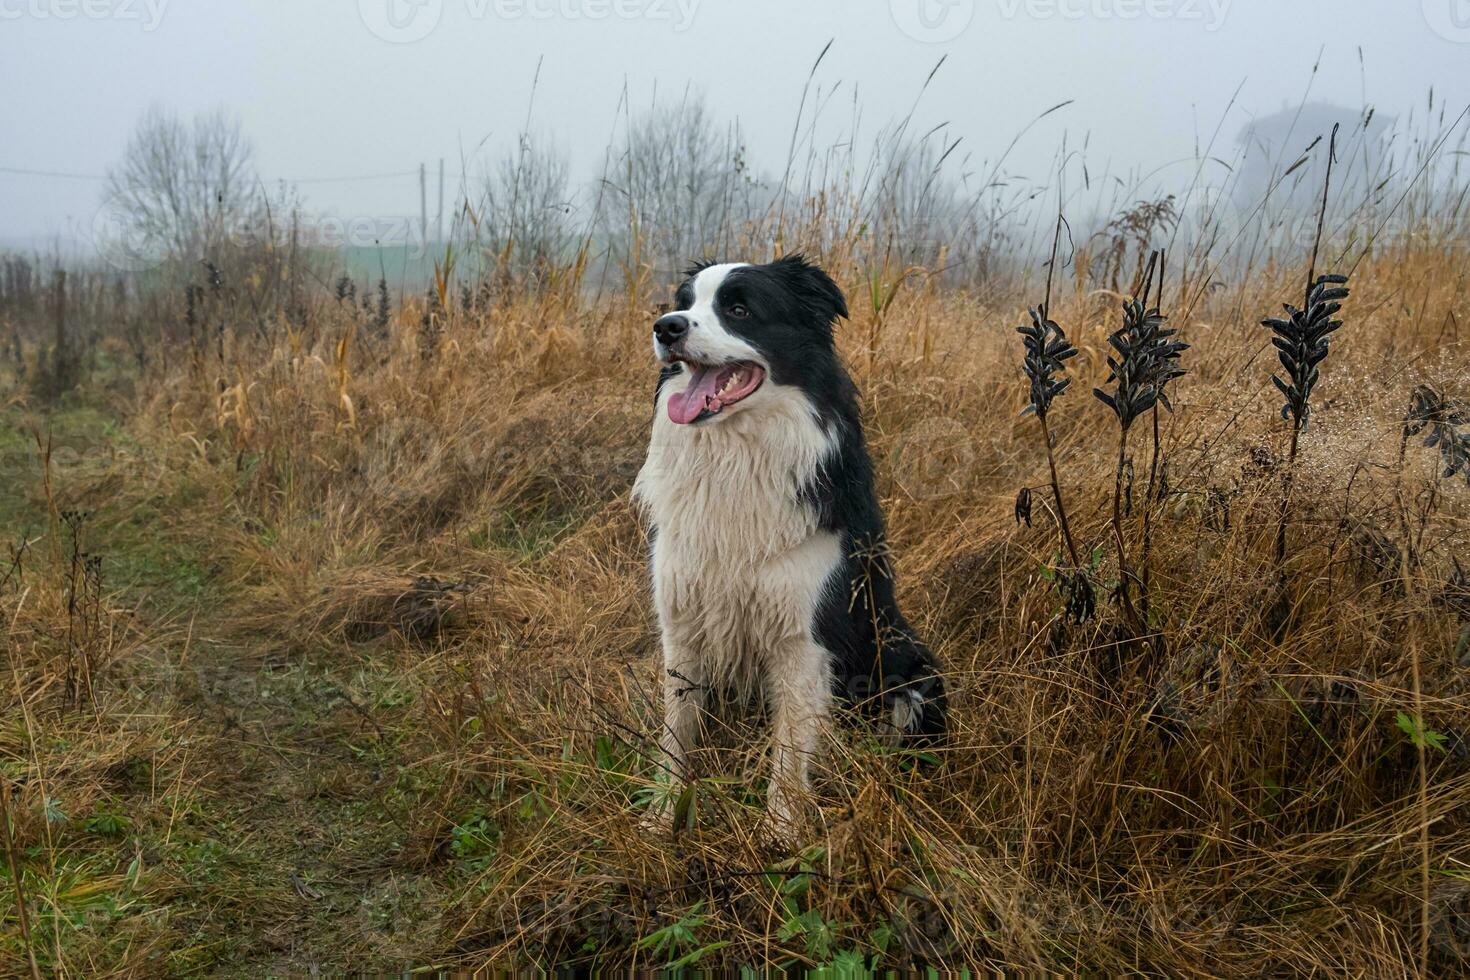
(799,696)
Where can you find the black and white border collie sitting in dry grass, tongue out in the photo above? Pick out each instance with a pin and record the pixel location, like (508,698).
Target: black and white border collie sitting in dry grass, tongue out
(771,575)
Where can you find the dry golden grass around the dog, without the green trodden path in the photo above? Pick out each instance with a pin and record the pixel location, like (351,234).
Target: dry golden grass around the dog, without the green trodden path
(453,506)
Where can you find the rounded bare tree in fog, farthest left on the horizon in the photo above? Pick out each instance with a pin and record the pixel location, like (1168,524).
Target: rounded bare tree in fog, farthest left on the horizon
(183,187)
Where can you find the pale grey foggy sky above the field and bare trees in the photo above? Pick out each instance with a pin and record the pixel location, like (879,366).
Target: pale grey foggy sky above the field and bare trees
(324,96)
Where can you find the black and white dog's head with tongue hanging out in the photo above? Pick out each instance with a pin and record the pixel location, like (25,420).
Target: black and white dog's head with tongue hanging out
(736,325)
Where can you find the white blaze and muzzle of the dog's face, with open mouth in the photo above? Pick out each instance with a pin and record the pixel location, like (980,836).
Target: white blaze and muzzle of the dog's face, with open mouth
(723,370)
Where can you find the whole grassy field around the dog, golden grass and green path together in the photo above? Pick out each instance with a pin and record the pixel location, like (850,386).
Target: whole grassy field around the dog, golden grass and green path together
(329,647)
